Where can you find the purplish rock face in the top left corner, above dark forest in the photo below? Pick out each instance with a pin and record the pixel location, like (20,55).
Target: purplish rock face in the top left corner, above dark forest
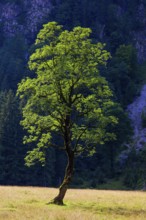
(25,17)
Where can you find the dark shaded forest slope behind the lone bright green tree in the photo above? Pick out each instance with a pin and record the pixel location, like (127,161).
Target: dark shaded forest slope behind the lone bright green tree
(119,24)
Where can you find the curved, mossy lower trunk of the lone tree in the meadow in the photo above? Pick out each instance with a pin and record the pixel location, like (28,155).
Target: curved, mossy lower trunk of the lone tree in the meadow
(58,200)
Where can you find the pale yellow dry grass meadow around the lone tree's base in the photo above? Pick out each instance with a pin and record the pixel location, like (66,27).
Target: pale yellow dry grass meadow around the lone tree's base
(21,203)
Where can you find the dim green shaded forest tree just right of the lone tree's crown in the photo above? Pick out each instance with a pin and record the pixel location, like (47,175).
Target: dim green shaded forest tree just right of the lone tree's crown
(123,75)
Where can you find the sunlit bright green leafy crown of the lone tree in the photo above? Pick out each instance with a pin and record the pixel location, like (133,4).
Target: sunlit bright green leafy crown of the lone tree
(68,95)
